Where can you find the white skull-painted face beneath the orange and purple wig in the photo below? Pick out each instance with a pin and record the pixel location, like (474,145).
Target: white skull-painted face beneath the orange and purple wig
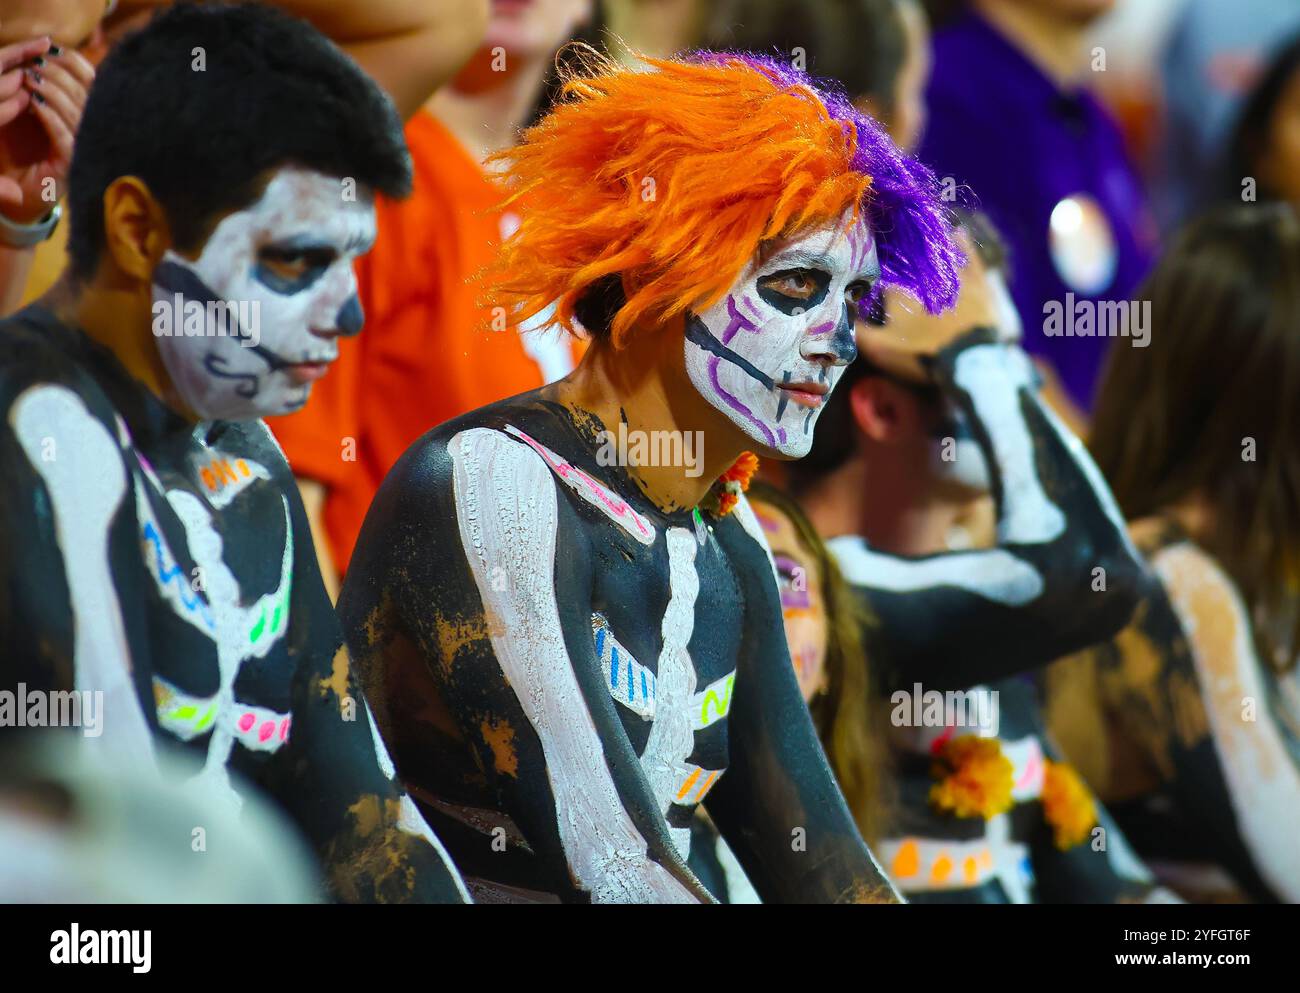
(769,354)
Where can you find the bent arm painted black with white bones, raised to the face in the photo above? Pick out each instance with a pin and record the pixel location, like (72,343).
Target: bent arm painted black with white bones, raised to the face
(1064,574)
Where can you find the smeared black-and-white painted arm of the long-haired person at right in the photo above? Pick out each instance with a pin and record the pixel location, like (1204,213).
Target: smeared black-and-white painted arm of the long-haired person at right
(1134,714)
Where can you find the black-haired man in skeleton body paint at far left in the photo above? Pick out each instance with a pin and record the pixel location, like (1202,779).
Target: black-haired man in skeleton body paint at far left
(153,543)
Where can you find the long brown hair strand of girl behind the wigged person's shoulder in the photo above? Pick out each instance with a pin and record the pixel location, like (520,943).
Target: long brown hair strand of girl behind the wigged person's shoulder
(850,716)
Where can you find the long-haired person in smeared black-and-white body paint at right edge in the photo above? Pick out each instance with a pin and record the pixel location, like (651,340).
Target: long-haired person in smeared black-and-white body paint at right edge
(1189,722)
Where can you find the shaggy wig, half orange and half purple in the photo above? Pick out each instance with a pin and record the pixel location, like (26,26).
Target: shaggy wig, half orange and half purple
(671,180)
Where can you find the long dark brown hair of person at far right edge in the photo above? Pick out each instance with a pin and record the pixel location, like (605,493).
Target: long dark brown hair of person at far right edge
(1221,372)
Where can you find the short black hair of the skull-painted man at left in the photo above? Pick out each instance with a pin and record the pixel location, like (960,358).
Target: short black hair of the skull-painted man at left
(272,92)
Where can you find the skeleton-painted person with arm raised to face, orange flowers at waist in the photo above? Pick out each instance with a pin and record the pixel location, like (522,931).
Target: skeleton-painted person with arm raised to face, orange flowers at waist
(1061,573)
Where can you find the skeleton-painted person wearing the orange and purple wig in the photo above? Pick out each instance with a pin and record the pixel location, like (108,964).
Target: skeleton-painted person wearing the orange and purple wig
(570,656)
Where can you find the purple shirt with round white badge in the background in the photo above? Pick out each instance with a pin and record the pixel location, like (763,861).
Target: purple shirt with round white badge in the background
(1002,128)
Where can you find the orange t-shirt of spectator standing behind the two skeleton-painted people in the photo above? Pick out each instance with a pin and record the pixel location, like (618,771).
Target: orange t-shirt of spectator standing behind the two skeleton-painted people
(427,353)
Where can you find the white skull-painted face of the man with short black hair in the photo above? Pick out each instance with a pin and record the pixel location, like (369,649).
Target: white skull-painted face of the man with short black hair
(253,323)
